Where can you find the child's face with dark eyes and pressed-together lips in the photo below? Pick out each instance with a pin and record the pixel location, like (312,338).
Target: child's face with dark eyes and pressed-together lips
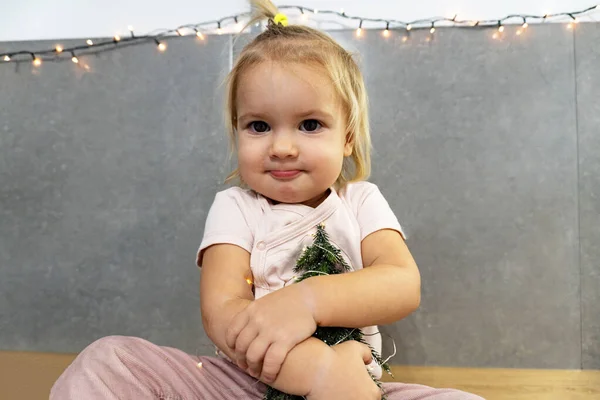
(291,132)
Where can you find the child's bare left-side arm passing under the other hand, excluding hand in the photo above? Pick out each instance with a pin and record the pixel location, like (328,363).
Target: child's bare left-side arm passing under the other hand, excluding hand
(225,292)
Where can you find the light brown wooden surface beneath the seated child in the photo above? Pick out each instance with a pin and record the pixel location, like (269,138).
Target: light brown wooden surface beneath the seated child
(30,375)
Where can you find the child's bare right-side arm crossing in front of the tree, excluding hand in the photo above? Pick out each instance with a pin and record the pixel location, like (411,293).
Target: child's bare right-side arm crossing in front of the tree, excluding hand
(386,290)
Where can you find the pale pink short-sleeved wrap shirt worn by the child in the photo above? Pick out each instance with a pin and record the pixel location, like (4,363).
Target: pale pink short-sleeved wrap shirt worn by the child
(275,234)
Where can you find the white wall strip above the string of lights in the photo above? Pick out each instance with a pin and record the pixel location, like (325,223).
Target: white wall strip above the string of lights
(42,19)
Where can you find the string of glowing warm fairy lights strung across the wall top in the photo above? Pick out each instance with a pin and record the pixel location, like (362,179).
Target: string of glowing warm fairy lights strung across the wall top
(431,24)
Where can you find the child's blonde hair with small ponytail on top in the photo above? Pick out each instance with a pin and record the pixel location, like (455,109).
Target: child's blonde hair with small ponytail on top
(302,44)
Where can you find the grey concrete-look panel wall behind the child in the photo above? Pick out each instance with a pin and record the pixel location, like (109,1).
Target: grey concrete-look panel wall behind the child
(487,150)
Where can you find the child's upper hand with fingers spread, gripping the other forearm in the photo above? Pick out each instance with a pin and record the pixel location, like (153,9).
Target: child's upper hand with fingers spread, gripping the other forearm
(267,329)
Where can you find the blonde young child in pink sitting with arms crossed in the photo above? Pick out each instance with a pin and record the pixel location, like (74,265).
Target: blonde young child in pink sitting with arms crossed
(297,113)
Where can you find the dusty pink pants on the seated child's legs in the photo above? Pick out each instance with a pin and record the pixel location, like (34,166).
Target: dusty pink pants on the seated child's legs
(120,368)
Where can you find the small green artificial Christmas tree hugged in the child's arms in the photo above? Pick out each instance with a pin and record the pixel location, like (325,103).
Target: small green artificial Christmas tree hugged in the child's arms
(323,258)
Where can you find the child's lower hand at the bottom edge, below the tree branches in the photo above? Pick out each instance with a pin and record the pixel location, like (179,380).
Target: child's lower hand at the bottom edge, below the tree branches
(346,376)
